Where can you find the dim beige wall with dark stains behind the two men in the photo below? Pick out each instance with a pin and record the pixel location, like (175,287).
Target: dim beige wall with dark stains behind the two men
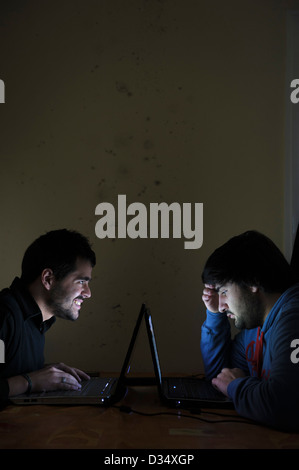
(162,101)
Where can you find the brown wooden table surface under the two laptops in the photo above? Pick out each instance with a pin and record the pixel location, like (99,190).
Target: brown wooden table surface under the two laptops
(92,427)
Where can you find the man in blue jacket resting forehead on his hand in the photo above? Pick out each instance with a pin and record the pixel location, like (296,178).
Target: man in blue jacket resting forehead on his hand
(249,281)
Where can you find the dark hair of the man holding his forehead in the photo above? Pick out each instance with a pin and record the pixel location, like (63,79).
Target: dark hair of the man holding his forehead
(250,259)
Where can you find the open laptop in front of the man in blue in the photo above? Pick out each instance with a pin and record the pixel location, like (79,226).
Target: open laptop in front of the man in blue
(183,392)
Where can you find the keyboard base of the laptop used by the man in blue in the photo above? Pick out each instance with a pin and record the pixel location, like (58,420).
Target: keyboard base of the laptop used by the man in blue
(192,388)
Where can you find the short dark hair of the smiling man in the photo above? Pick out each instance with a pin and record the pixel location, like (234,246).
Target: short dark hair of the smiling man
(57,250)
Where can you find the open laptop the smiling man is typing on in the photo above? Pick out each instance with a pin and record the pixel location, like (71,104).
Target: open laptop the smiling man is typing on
(102,391)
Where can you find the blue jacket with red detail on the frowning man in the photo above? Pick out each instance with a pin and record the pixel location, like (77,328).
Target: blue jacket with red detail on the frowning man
(269,356)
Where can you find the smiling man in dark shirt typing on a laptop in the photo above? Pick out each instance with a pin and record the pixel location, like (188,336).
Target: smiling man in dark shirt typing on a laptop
(56,271)
